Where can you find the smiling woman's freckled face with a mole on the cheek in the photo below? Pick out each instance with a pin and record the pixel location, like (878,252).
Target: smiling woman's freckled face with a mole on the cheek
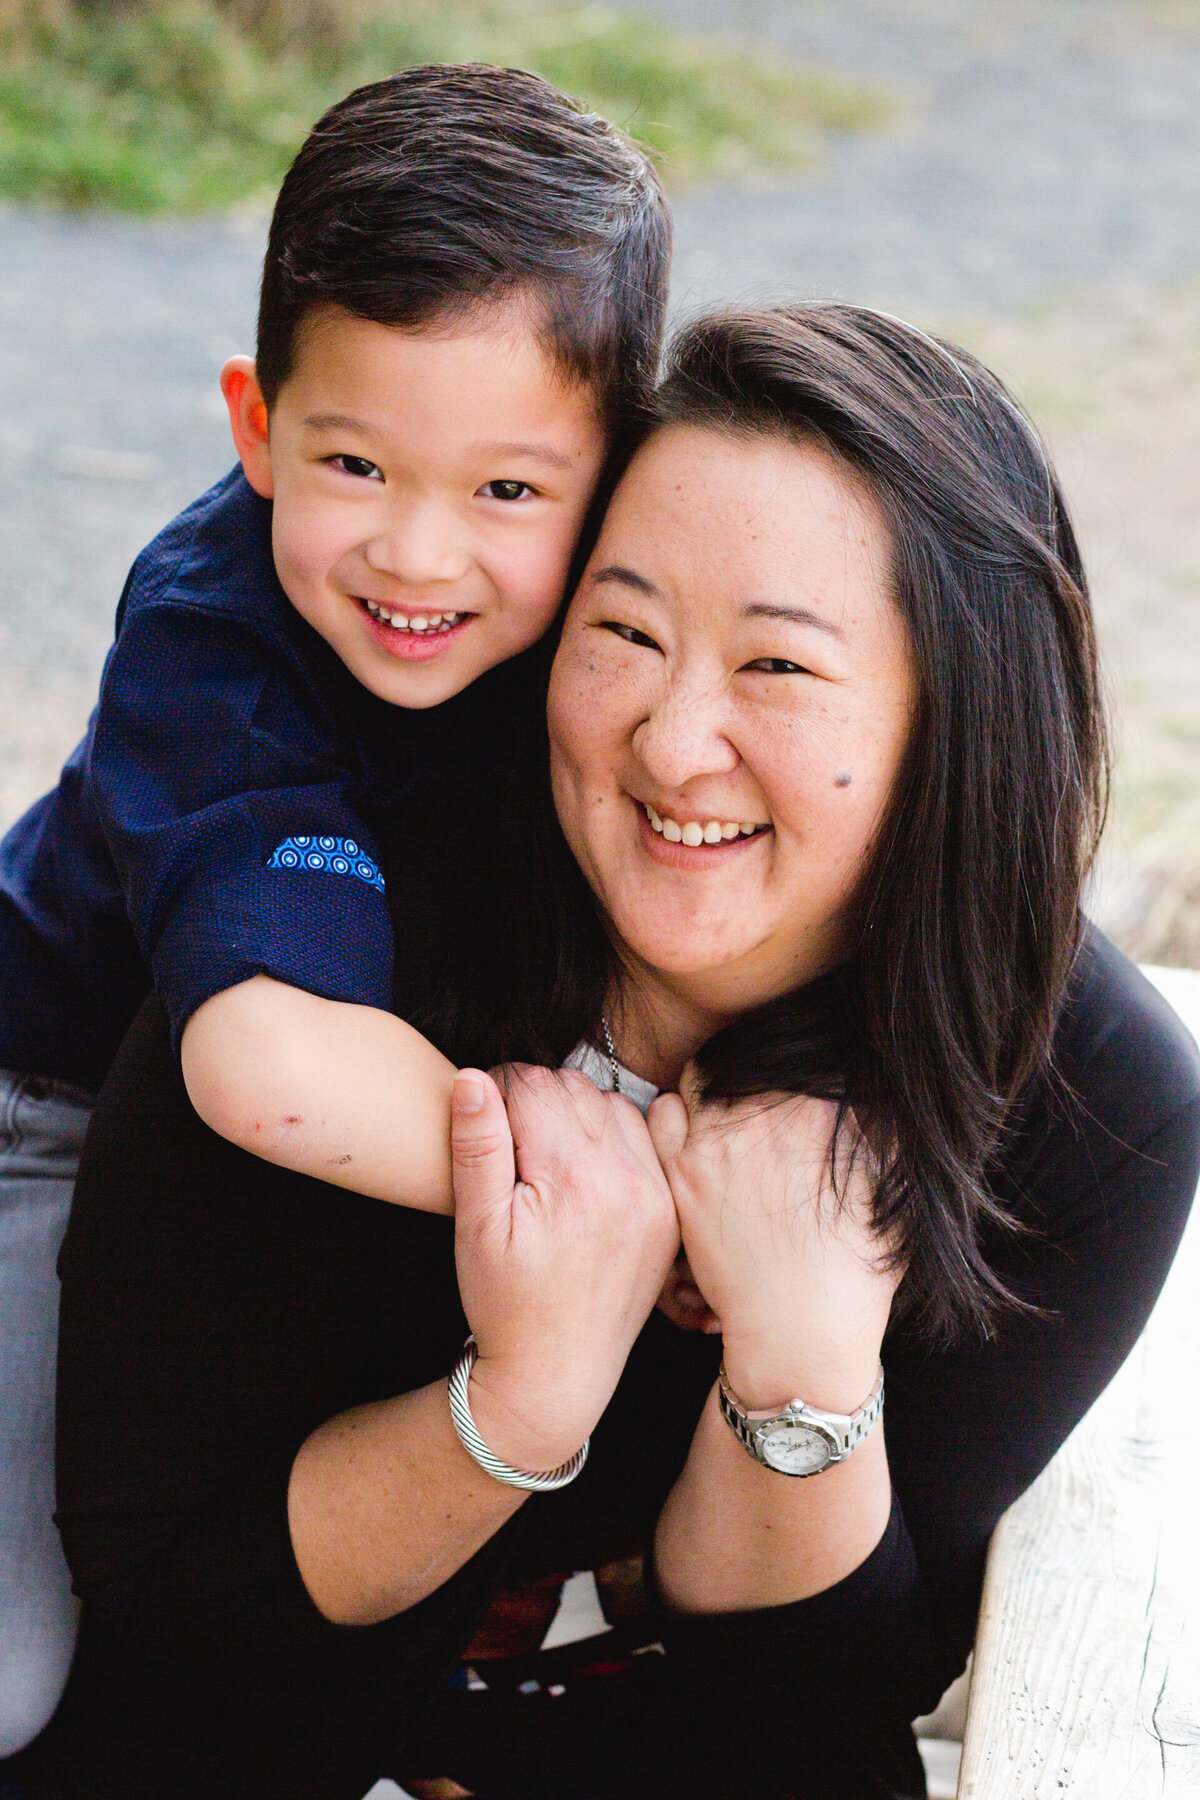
(733,670)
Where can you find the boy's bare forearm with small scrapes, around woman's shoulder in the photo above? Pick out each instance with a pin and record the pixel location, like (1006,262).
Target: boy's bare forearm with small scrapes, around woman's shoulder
(345,1093)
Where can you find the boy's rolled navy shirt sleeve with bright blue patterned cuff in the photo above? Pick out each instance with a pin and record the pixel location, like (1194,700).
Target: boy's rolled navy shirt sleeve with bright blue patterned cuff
(231,818)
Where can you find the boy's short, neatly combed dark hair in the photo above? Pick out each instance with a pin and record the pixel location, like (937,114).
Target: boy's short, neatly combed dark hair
(418,197)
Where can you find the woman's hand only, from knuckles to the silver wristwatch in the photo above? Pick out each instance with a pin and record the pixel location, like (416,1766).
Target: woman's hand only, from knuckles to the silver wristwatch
(791,1264)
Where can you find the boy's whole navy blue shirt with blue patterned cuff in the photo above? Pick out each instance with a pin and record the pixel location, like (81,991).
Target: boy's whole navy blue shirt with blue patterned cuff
(220,816)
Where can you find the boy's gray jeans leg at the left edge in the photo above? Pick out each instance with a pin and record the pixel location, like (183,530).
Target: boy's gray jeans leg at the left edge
(42,1128)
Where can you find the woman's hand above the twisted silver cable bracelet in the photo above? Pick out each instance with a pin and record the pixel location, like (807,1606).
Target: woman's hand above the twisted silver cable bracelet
(564,1236)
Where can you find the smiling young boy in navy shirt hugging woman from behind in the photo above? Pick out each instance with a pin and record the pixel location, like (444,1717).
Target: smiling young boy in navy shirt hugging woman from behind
(461,307)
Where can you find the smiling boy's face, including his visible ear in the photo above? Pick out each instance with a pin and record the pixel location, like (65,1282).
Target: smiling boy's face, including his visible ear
(429,489)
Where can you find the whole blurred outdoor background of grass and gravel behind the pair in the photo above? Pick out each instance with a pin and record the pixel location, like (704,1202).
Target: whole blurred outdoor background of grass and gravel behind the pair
(1019,174)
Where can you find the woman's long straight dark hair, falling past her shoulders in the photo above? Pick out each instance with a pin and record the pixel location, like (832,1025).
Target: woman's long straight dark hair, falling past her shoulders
(969,912)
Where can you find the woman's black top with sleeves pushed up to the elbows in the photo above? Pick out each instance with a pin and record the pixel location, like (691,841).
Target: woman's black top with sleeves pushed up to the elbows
(217,1309)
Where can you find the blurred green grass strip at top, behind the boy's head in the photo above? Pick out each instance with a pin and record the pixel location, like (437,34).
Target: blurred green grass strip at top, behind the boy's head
(202,103)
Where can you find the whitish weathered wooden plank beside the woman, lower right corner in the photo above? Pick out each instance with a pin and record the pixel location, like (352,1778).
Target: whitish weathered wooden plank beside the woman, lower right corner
(1088,1660)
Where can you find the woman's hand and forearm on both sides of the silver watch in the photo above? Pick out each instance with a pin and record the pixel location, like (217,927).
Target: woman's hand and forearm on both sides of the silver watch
(793,1270)
